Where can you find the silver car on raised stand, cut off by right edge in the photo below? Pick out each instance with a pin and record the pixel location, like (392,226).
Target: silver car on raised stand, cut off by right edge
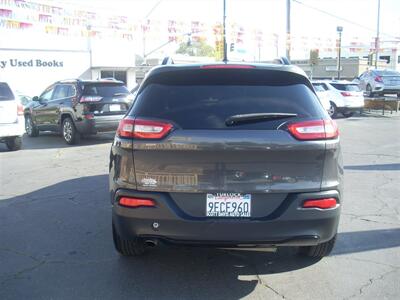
(379,82)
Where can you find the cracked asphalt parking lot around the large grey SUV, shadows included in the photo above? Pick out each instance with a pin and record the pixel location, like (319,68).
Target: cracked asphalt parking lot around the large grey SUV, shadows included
(55,232)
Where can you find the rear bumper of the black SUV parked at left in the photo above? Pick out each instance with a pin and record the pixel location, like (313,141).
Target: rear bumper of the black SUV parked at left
(99,124)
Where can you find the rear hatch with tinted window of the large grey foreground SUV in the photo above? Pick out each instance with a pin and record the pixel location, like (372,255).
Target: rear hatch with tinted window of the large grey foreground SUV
(204,156)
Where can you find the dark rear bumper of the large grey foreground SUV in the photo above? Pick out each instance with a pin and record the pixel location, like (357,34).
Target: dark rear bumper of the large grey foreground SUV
(287,225)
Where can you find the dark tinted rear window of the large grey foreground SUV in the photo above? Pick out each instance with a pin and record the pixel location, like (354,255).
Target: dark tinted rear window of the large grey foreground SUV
(205,106)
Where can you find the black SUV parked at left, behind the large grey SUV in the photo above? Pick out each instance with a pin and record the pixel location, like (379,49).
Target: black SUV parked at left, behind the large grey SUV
(76,107)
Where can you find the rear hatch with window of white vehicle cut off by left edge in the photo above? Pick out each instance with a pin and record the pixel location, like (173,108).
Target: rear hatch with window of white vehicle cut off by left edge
(8,105)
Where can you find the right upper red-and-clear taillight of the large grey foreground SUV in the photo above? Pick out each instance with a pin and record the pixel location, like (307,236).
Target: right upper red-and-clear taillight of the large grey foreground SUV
(314,130)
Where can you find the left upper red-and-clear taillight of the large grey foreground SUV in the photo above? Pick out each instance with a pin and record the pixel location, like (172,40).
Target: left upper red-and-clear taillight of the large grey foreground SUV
(143,129)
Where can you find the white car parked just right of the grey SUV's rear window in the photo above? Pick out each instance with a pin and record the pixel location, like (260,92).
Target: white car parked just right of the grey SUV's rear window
(345,97)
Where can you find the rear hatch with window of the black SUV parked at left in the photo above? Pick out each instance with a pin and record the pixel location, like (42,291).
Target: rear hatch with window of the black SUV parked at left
(105,98)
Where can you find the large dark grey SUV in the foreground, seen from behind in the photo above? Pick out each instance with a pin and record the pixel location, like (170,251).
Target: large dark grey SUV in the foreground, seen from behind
(228,155)
